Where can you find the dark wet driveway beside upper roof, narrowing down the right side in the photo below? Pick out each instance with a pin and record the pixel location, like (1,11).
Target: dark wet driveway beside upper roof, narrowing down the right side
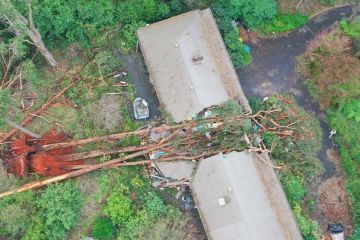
(273,70)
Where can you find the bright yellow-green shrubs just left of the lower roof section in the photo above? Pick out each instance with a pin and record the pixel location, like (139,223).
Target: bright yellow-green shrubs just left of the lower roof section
(133,205)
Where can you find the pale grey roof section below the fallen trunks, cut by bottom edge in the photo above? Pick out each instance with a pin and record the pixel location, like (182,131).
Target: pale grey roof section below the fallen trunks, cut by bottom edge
(255,204)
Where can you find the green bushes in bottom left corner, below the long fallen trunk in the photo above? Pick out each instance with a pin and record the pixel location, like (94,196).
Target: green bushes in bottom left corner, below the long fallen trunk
(47,214)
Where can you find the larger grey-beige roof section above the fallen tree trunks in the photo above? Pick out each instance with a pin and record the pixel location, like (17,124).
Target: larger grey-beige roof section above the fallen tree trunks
(189,65)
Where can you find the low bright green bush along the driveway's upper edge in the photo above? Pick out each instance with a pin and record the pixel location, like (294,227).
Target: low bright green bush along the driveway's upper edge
(283,23)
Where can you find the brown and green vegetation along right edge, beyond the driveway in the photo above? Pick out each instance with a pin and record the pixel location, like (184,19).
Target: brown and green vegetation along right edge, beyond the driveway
(332,73)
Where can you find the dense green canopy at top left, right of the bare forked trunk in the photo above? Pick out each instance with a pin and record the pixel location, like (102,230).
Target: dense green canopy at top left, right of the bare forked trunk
(64,21)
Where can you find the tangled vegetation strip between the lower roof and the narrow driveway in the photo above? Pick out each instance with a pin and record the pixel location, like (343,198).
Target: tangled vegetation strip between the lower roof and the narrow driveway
(297,156)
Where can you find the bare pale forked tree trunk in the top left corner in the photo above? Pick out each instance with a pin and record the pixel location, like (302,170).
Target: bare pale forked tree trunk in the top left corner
(19,25)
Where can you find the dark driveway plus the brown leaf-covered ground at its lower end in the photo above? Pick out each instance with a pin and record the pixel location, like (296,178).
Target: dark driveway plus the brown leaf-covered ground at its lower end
(273,71)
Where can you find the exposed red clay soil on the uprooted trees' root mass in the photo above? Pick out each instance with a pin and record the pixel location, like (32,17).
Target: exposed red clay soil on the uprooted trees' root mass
(22,157)
